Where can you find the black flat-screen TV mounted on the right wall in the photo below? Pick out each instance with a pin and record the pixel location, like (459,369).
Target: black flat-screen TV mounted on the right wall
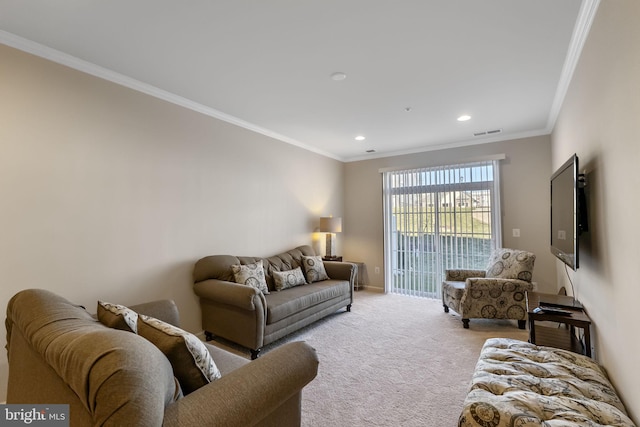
(568,212)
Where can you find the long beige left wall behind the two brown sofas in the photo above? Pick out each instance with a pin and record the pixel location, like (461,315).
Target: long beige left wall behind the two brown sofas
(108,193)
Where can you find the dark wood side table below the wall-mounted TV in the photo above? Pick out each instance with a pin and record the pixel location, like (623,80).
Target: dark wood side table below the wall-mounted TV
(559,337)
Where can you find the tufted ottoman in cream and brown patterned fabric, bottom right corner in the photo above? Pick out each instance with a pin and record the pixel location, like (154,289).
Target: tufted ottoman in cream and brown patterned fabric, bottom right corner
(517,384)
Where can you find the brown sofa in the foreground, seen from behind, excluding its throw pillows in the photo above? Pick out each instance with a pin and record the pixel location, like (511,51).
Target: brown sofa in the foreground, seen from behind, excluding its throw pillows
(60,354)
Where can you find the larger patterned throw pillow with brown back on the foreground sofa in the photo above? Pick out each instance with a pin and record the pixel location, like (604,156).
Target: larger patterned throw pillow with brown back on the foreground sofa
(191,361)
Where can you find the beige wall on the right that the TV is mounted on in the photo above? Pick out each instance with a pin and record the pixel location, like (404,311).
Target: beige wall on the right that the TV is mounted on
(600,121)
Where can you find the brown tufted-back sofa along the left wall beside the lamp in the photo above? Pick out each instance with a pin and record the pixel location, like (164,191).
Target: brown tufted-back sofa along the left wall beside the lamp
(244,315)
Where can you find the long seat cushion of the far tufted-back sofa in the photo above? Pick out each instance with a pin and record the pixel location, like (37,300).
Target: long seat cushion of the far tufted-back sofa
(284,304)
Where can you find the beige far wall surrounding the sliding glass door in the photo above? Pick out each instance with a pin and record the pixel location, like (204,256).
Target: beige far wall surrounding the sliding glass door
(525,202)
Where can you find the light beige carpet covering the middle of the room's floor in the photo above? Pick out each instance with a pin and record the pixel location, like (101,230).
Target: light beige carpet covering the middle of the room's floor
(393,361)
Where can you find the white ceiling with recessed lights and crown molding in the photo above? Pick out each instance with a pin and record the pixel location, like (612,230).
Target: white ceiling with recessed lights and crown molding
(266,65)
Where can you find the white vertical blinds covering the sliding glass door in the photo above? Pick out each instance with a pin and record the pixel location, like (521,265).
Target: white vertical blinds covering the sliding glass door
(437,218)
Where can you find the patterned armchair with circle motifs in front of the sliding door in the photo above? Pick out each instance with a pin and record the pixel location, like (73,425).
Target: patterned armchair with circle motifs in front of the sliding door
(497,293)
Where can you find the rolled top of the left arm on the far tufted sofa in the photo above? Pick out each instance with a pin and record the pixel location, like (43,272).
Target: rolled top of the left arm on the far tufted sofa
(230,293)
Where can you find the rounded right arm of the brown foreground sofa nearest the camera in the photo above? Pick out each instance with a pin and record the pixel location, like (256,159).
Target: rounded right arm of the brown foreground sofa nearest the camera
(251,393)
